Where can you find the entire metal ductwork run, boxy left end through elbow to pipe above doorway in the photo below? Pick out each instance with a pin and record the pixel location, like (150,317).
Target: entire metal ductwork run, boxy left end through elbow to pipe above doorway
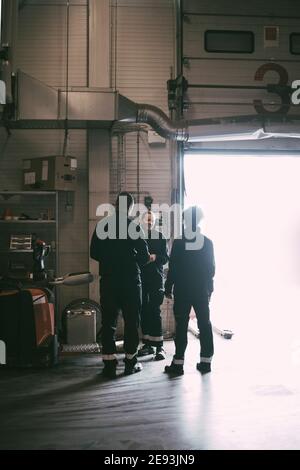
(40,106)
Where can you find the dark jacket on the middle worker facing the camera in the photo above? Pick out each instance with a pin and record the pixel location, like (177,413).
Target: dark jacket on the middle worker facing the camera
(157,245)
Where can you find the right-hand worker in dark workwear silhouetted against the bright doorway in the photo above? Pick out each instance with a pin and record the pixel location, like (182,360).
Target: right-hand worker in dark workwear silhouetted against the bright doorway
(191,273)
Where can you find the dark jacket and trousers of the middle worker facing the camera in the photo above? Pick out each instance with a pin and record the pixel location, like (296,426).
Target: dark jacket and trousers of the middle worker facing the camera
(153,289)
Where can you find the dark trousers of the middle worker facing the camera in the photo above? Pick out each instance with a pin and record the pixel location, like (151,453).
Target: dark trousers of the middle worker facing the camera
(152,298)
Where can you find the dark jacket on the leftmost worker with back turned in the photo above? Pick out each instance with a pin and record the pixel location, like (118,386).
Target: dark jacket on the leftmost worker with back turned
(119,258)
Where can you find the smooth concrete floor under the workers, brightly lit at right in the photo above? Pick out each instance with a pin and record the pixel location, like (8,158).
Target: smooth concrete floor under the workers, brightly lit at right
(243,404)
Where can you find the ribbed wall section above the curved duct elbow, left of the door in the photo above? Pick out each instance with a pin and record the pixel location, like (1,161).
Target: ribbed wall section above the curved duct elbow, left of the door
(145,47)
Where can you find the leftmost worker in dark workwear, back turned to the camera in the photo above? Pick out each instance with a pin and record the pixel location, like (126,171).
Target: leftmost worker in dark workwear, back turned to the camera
(120,258)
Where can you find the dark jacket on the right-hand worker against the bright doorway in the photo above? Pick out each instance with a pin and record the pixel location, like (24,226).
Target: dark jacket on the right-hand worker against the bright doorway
(191,270)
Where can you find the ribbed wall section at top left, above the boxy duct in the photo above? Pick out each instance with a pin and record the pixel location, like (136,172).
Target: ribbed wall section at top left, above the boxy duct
(42,50)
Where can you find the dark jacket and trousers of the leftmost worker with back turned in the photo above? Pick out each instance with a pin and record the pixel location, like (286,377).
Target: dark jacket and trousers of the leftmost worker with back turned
(120,288)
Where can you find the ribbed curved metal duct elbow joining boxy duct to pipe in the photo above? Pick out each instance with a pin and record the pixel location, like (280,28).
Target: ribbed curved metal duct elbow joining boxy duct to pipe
(161,123)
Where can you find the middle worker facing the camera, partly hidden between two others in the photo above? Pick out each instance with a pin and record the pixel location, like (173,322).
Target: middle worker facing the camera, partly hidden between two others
(153,290)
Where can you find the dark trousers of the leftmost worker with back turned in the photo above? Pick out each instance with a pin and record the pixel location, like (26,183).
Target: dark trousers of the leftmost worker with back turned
(116,296)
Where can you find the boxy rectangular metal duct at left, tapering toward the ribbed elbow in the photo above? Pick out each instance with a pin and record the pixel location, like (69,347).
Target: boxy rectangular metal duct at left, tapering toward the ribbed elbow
(39,106)
